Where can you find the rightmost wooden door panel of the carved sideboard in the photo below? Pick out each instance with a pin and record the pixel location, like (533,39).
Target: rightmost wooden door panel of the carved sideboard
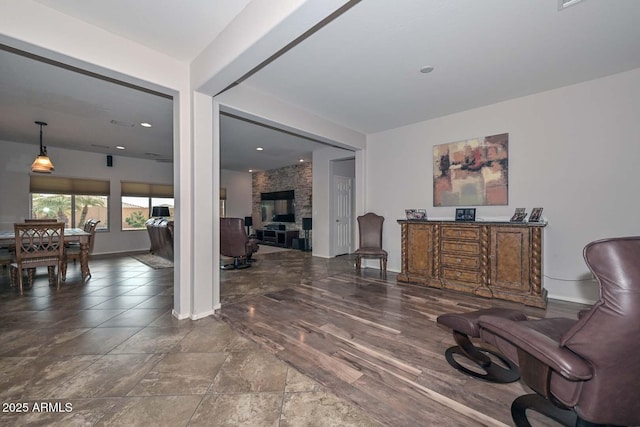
(510,255)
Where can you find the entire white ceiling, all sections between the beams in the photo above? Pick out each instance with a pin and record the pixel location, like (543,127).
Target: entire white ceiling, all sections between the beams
(361,70)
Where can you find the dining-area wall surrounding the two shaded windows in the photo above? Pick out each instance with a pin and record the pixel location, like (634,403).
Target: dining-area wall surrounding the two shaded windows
(15,165)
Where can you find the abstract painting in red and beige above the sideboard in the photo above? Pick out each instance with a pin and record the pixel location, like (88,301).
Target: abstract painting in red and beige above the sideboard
(474,172)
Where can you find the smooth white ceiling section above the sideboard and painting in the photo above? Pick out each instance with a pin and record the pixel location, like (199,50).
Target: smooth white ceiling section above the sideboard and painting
(362,69)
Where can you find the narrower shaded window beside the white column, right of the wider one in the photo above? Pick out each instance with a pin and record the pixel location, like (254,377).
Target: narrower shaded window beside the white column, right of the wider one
(138,200)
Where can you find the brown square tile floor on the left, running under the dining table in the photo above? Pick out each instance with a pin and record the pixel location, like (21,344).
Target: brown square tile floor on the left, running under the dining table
(109,353)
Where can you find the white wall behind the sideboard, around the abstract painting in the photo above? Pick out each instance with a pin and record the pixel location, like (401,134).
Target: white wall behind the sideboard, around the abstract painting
(573,151)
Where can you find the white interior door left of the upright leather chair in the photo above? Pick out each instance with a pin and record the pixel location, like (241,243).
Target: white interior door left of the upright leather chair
(342,214)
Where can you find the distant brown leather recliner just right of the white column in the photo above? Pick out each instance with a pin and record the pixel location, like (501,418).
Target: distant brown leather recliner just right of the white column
(235,243)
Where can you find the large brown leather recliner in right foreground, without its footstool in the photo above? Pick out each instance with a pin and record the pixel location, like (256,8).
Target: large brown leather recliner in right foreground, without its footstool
(585,372)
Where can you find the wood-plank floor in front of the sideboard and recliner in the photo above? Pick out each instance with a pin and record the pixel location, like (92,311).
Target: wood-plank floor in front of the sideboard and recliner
(374,342)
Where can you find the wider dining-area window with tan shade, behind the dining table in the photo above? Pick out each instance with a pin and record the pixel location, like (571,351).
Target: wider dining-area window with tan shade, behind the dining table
(70,200)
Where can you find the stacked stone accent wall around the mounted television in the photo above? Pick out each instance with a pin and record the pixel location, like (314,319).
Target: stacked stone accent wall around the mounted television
(296,177)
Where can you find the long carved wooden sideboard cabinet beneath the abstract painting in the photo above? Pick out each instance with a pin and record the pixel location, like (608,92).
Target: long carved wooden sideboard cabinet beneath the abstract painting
(490,259)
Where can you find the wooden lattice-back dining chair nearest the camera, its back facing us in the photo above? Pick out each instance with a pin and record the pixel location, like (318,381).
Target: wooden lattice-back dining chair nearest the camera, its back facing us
(37,245)
